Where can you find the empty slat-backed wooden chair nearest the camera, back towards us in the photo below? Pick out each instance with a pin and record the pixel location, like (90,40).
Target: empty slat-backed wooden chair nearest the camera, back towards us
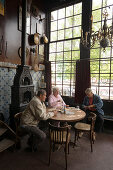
(59,136)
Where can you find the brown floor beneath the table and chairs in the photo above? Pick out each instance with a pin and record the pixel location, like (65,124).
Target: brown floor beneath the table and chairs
(80,158)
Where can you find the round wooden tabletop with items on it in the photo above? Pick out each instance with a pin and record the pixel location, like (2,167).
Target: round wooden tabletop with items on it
(73,115)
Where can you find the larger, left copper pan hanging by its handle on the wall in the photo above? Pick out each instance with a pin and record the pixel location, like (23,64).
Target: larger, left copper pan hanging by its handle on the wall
(34,38)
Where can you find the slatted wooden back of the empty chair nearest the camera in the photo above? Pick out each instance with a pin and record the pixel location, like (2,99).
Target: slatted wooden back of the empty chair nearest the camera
(59,135)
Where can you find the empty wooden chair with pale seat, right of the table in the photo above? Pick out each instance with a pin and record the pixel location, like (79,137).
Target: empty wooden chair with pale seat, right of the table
(87,128)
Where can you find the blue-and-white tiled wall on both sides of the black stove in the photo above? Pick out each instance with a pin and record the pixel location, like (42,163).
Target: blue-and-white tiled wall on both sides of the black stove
(6,81)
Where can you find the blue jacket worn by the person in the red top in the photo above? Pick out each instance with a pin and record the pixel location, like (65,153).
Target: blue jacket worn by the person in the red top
(96,101)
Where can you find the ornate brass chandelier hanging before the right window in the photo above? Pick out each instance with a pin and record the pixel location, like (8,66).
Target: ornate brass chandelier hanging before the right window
(104,35)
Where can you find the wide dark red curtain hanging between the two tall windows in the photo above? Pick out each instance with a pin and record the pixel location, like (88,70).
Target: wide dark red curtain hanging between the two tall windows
(82,79)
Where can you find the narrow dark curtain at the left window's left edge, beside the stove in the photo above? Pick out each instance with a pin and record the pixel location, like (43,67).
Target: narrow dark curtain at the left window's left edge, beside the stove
(48,77)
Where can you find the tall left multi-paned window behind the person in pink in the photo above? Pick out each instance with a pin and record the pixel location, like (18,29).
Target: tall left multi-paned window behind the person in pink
(66,26)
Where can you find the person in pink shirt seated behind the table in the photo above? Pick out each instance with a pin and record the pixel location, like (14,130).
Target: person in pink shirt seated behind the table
(55,100)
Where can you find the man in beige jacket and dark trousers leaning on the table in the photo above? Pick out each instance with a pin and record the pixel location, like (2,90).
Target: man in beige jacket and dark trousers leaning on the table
(32,115)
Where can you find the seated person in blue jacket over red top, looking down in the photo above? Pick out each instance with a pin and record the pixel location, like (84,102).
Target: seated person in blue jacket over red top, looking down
(93,103)
